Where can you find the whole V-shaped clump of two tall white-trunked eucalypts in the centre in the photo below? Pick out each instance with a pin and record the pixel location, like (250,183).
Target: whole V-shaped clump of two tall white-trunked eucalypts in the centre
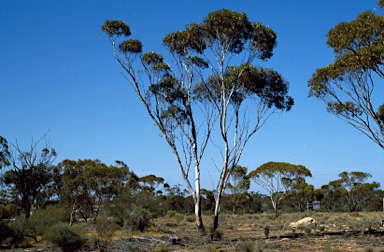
(176,98)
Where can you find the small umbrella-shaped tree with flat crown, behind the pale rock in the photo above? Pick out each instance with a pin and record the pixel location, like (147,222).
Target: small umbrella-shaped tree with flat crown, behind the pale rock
(277,179)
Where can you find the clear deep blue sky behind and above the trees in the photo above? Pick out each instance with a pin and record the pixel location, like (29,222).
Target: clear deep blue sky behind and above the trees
(56,75)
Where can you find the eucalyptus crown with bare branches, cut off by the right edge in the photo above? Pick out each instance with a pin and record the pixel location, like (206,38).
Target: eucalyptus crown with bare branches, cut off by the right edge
(347,85)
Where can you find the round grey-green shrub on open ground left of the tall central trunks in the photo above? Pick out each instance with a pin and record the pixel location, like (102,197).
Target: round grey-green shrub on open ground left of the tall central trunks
(138,219)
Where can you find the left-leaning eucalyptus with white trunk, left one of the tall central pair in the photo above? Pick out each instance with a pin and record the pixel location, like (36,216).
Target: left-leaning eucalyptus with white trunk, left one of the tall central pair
(168,97)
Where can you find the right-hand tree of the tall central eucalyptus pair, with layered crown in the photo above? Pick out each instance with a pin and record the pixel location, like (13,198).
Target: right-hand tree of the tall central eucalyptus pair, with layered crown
(244,96)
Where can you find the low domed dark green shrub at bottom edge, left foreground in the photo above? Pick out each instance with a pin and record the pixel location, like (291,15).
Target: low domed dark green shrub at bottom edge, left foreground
(65,237)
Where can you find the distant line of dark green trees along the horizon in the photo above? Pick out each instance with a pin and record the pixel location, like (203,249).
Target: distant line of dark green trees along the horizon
(31,182)
